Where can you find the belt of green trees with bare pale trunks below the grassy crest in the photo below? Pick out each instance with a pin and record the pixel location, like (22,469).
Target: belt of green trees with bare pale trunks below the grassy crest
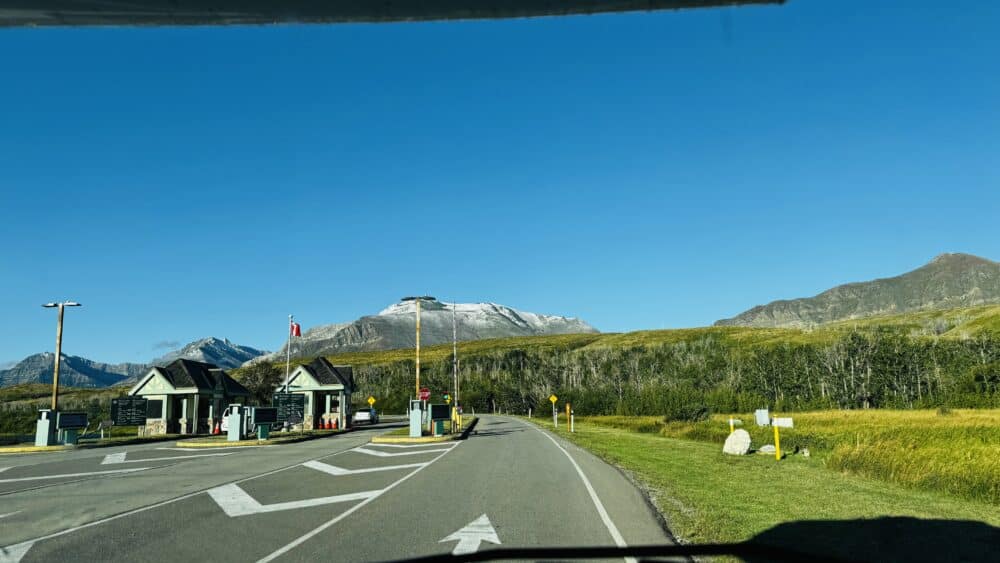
(882,368)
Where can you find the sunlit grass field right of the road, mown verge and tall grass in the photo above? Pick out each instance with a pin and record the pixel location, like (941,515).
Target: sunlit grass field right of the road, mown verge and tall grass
(708,496)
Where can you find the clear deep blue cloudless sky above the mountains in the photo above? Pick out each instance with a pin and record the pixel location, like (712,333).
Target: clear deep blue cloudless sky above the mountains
(638,171)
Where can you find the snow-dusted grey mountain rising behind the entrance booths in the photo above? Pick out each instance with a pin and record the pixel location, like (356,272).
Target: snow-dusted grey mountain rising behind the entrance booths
(394,327)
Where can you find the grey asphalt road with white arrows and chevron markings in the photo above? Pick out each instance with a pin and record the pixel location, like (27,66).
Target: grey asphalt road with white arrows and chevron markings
(338,498)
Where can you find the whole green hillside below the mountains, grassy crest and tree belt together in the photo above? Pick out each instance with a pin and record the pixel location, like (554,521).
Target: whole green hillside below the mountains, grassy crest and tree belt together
(922,359)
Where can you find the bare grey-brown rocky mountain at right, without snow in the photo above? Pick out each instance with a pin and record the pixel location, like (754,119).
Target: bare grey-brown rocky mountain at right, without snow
(947,281)
